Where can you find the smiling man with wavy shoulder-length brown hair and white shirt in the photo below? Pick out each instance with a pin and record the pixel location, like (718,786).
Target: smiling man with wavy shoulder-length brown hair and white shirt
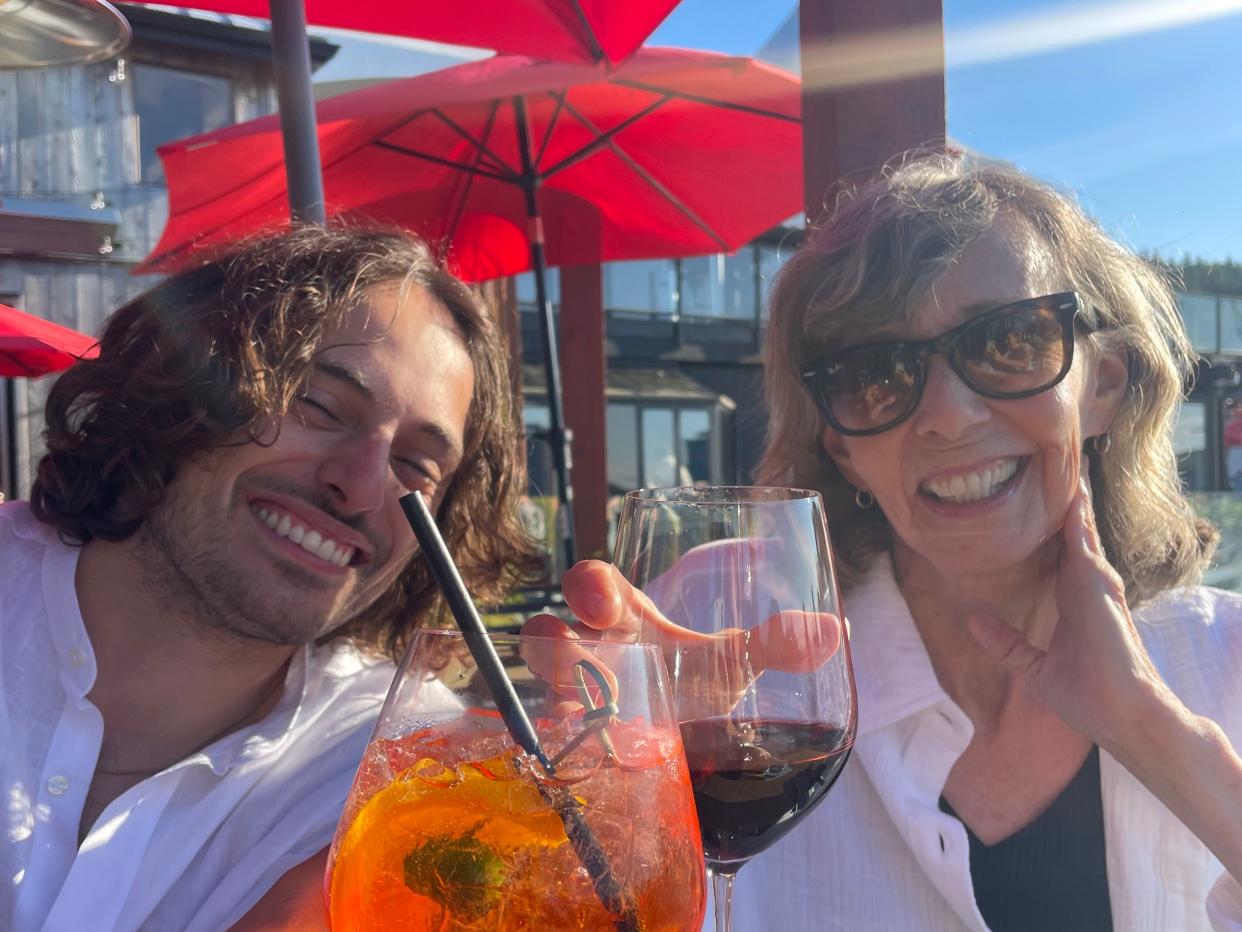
(204,596)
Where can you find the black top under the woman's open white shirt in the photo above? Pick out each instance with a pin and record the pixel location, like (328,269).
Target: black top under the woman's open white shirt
(1050,875)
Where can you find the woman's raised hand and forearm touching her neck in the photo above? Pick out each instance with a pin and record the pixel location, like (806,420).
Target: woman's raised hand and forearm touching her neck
(1099,678)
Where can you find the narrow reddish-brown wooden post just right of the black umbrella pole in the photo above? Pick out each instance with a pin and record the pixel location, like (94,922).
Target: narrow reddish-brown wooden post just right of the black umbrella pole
(584,368)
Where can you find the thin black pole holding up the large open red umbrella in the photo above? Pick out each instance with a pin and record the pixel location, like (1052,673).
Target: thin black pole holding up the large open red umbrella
(558,437)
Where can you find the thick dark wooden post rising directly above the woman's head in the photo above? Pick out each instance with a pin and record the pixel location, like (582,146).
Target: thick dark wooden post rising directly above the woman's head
(873,88)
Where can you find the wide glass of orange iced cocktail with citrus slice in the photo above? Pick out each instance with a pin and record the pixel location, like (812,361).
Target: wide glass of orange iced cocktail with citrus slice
(450,826)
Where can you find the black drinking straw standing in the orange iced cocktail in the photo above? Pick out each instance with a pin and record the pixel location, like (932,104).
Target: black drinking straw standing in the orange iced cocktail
(589,851)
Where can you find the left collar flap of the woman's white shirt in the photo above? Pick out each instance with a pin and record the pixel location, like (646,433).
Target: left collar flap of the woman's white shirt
(892,670)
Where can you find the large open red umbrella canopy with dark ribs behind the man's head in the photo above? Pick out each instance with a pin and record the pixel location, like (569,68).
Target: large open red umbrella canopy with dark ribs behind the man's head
(675,153)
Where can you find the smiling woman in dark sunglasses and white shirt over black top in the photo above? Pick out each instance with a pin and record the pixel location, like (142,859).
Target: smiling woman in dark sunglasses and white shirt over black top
(984,387)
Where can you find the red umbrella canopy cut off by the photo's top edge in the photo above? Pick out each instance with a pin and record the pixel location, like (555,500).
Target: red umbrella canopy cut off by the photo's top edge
(556,30)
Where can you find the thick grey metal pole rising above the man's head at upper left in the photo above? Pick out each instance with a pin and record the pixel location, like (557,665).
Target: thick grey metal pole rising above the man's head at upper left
(291,62)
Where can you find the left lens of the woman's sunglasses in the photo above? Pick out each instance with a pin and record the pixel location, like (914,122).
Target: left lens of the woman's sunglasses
(868,390)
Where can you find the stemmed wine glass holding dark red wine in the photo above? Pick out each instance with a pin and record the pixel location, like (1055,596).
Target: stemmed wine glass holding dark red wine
(766,695)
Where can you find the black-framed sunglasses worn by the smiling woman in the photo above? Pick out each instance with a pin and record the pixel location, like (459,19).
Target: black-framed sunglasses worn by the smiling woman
(1017,351)
